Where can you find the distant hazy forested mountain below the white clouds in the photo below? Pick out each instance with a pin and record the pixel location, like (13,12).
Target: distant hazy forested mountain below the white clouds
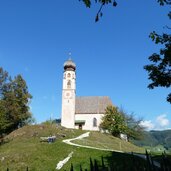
(154,138)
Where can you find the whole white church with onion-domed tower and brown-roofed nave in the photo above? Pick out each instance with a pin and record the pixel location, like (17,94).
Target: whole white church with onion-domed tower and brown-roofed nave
(84,112)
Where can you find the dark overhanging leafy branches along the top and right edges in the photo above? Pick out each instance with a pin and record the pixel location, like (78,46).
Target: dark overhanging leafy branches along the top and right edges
(159,72)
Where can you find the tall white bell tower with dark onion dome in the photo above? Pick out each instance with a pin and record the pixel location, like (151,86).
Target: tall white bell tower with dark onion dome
(68,95)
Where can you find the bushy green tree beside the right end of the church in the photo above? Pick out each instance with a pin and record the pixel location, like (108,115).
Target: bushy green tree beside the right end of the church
(116,121)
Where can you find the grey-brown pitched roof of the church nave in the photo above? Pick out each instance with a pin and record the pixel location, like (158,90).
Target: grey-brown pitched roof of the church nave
(92,104)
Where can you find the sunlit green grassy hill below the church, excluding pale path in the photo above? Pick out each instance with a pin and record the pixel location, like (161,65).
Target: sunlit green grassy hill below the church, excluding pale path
(23,148)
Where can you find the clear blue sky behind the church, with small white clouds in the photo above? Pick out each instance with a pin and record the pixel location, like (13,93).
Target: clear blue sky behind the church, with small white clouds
(36,37)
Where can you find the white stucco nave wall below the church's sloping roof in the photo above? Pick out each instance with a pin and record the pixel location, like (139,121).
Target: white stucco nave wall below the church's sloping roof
(89,121)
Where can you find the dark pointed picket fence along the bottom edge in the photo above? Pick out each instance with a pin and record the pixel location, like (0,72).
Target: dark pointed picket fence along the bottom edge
(148,164)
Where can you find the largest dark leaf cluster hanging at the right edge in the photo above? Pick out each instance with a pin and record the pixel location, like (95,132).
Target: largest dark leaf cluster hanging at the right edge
(159,71)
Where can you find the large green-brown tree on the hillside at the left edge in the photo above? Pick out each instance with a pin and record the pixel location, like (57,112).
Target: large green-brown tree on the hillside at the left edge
(14,100)
